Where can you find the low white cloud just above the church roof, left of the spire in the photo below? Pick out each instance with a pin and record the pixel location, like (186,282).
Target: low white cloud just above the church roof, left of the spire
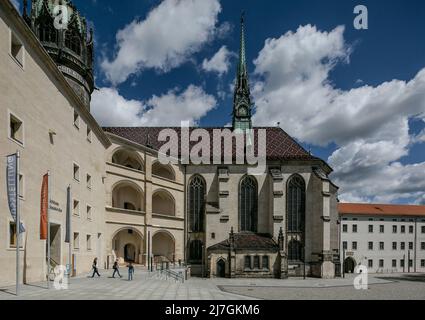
(112,109)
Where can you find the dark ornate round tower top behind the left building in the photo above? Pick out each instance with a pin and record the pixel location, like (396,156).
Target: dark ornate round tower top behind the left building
(70,46)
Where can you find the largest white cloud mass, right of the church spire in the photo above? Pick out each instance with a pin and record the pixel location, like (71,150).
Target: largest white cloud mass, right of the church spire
(368,124)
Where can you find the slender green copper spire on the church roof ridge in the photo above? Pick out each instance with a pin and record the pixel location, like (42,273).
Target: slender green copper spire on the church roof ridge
(242,95)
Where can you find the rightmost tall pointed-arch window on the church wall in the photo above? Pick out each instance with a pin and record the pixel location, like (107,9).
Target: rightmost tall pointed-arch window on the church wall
(296,204)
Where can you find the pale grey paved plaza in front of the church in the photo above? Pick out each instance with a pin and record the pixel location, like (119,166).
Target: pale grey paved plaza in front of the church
(152,286)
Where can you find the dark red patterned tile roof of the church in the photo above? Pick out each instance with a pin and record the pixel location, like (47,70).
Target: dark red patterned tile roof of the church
(280,146)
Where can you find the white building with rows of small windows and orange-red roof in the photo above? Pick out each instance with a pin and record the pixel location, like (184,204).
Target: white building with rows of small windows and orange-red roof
(384,238)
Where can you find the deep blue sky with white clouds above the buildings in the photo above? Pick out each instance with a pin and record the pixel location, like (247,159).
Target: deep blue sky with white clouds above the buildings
(356,98)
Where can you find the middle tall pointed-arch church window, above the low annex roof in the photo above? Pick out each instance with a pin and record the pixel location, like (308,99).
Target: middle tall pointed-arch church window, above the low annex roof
(248,199)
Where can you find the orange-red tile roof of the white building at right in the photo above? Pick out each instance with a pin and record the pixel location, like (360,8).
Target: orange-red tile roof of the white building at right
(380,209)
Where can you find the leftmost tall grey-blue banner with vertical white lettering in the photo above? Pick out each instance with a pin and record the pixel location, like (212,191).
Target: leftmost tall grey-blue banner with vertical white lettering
(12,183)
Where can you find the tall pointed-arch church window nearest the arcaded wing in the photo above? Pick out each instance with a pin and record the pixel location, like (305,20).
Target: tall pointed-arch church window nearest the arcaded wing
(196,204)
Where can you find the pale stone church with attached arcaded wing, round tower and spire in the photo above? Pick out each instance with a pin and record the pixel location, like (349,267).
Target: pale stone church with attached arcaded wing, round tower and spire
(216,219)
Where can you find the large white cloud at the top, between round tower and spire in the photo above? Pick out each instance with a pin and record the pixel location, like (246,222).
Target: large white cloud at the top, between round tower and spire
(164,40)
